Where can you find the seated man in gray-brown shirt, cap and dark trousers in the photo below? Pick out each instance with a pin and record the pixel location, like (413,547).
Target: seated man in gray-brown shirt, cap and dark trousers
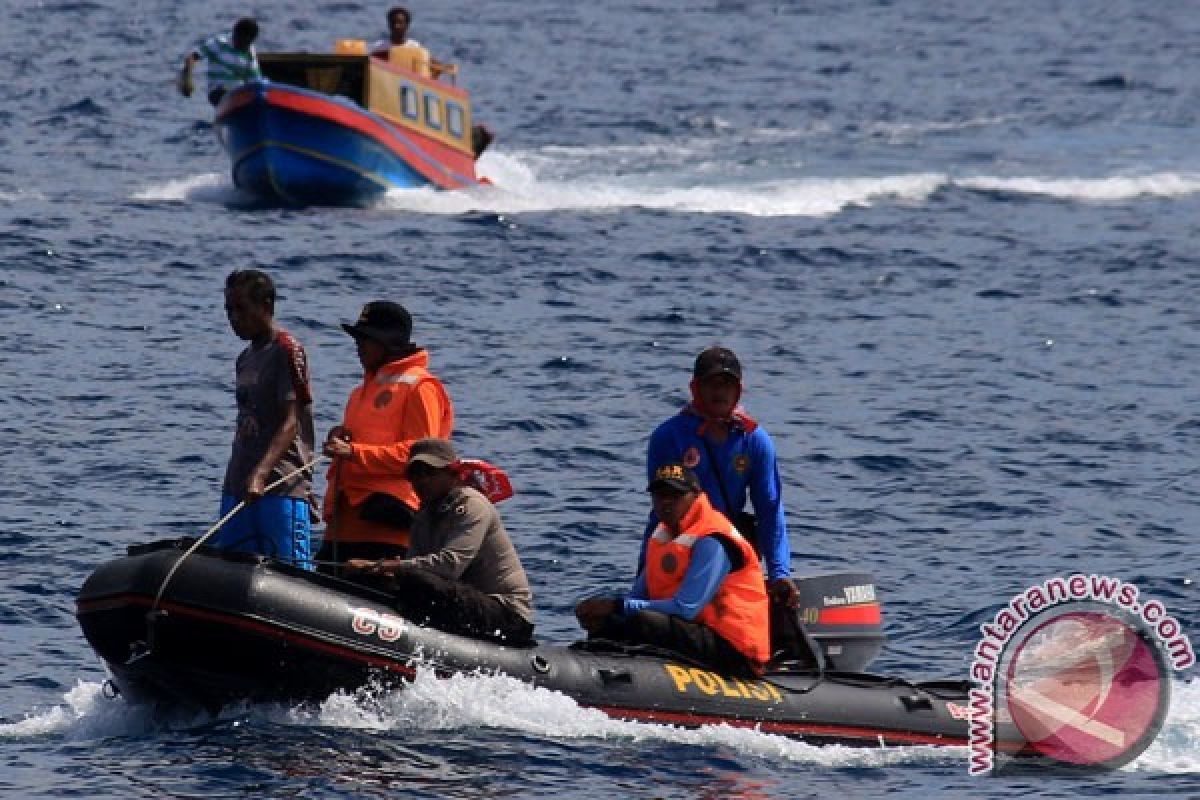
(463,574)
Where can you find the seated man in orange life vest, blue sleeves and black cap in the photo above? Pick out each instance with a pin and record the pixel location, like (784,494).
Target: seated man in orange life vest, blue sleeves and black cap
(700,593)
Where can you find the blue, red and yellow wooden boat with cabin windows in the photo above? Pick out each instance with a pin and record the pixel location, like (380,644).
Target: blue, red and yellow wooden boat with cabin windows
(343,129)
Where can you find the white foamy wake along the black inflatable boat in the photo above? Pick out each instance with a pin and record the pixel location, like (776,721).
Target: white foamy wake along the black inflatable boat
(502,703)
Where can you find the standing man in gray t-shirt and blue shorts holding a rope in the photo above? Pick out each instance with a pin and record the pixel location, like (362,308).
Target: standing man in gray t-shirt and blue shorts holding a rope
(274,438)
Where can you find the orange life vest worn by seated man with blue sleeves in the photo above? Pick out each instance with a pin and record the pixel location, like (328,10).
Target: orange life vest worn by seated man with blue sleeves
(740,610)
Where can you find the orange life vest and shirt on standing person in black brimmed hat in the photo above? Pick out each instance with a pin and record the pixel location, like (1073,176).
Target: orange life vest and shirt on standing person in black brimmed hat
(385,420)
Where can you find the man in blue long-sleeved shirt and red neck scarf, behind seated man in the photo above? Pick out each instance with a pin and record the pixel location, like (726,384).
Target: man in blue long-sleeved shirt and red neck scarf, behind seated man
(735,460)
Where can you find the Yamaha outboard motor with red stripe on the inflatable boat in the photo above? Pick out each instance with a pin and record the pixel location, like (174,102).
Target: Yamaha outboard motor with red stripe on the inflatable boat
(838,627)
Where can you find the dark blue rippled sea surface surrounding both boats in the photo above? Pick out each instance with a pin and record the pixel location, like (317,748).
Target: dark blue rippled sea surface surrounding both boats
(956,245)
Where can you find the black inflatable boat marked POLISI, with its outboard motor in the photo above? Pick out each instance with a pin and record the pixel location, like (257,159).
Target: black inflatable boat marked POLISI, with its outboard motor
(229,628)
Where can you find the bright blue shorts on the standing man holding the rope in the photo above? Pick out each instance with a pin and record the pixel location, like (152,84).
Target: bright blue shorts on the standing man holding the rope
(274,526)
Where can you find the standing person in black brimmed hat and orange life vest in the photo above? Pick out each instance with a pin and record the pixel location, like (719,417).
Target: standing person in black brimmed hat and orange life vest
(370,504)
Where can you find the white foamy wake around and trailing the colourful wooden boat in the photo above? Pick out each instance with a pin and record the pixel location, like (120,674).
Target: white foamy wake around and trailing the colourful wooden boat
(694,177)
